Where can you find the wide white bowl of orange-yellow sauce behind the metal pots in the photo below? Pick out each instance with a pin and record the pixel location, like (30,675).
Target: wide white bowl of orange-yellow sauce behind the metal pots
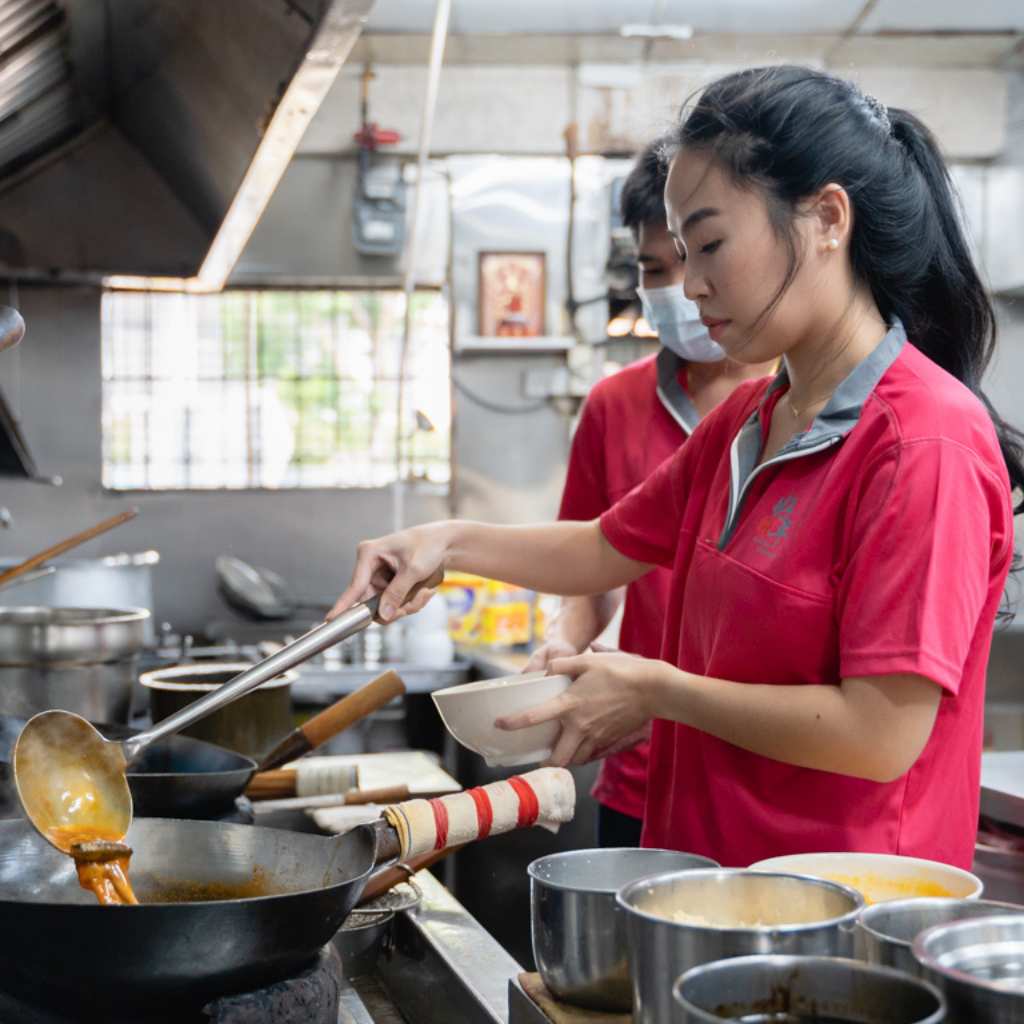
(881,877)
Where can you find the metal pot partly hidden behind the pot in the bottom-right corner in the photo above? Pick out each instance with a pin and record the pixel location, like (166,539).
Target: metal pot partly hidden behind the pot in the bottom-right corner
(886,931)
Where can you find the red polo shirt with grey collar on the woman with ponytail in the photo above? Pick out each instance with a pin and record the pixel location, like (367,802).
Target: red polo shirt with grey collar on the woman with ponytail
(877,543)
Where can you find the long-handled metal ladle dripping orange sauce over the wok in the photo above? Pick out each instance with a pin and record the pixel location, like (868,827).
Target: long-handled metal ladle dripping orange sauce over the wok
(72,782)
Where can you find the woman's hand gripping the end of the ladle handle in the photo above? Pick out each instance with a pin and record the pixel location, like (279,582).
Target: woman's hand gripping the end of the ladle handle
(392,567)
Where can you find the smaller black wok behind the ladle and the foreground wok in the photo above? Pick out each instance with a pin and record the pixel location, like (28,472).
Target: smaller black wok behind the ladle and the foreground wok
(175,778)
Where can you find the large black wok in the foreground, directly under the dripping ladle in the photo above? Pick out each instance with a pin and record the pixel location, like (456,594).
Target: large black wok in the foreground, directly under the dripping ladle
(61,950)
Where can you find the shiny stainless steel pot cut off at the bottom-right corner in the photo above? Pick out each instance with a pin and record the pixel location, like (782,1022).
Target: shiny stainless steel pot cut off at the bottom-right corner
(979,966)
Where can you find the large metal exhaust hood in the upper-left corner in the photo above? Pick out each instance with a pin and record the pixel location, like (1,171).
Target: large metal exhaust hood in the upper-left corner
(129,127)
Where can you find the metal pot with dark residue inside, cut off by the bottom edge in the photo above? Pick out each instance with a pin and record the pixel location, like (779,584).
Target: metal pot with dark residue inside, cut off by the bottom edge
(805,989)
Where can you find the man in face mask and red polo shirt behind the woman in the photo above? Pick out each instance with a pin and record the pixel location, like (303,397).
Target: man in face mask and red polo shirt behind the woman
(631,423)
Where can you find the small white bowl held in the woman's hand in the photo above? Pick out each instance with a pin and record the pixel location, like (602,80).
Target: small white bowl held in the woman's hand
(470,712)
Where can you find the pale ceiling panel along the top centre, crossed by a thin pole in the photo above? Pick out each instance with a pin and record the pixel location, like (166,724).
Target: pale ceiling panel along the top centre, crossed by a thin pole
(596,17)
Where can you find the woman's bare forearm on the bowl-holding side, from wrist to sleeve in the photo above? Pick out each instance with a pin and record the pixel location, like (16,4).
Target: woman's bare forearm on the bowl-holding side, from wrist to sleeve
(869,729)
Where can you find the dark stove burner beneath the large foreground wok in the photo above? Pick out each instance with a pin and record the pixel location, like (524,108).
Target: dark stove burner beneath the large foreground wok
(311,998)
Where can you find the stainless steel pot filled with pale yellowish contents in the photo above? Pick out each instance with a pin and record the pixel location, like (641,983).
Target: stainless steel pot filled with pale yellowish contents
(796,915)
